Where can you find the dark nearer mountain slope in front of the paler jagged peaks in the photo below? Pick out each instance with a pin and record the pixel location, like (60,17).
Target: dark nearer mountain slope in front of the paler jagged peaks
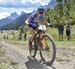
(20,20)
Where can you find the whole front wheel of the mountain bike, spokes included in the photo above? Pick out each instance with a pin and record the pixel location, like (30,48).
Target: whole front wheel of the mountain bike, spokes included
(48,54)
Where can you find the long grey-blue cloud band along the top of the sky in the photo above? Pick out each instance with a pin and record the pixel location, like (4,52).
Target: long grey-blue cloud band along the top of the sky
(23,3)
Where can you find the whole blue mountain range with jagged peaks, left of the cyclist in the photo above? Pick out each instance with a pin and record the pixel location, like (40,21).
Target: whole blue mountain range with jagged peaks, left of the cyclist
(13,22)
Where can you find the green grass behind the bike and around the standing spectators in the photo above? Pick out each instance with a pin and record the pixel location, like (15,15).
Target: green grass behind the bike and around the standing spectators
(54,33)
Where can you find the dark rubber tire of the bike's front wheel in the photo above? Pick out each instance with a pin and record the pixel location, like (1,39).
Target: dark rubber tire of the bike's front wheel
(54,51)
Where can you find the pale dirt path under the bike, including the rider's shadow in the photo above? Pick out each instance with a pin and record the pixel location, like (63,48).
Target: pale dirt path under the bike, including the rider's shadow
(18,54)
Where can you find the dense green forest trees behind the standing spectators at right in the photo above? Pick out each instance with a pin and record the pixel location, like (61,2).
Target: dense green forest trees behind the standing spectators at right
(64,12)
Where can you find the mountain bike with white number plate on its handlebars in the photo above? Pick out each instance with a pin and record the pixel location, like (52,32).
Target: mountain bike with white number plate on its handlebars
(47,50)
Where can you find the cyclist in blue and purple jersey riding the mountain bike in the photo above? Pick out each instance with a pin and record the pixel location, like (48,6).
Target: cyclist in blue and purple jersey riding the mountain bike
(33,22)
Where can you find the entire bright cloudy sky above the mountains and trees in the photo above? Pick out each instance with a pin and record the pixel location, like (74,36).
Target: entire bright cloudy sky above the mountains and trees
(9,6)
